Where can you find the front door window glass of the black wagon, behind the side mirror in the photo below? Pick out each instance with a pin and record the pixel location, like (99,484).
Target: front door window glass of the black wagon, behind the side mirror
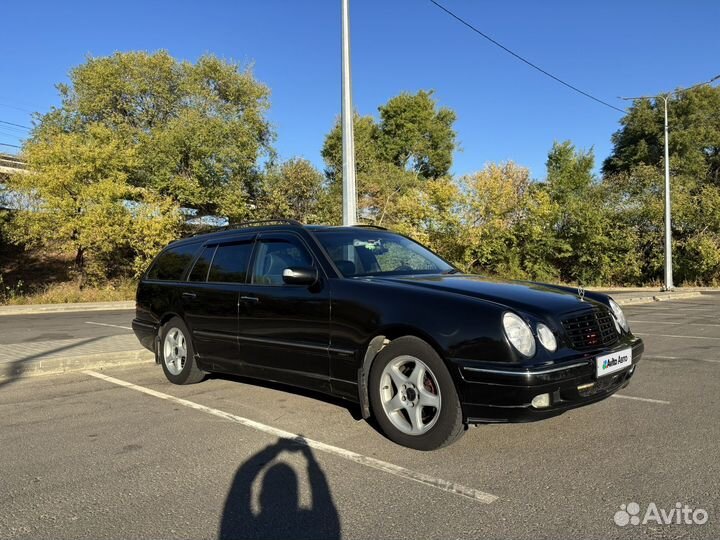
(275,255)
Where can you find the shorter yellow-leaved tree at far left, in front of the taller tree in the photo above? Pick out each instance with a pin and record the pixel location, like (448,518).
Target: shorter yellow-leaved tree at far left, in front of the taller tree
(76,199)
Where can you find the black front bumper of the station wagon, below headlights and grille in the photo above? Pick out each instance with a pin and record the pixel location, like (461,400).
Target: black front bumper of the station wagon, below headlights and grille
(495,392)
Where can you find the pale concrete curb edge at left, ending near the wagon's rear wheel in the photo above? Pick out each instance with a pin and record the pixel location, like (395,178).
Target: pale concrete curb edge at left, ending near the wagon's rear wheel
(53,366)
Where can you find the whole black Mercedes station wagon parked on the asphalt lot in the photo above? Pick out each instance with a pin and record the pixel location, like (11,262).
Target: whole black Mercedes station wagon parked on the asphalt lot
(374,317)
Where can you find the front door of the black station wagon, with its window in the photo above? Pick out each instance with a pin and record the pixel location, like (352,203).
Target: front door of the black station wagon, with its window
(285,329)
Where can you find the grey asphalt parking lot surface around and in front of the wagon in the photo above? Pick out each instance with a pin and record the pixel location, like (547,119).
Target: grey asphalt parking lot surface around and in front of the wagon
(134,456)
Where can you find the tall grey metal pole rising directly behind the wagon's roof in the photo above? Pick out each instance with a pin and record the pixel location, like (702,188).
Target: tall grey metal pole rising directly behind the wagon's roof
(349,196)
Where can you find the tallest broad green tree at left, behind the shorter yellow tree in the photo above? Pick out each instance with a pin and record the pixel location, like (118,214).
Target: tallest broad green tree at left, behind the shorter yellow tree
(197,130)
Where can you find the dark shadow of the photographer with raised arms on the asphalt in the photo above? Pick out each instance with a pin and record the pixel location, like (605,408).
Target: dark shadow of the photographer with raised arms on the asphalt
(279,513)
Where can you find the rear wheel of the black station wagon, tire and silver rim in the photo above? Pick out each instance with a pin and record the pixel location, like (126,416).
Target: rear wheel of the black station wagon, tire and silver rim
(177,354)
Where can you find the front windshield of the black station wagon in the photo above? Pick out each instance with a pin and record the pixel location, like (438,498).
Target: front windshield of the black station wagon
(379,253)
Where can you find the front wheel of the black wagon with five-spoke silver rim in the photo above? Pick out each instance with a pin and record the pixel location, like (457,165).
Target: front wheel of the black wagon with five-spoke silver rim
(418,409)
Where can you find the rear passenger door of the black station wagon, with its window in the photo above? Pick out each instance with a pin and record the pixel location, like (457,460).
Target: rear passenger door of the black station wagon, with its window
(210,301)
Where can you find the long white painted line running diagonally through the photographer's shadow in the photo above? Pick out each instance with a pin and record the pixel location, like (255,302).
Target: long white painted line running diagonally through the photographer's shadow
(431,481)
